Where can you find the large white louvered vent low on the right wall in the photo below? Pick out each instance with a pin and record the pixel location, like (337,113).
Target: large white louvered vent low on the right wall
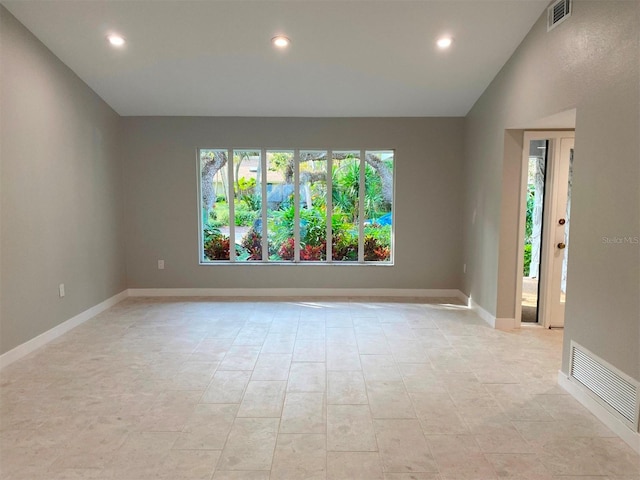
(614,390)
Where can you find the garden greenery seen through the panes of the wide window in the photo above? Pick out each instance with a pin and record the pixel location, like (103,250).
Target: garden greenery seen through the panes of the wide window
(281,215)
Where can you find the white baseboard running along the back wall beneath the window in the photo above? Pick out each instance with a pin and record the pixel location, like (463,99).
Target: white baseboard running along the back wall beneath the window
(295,292)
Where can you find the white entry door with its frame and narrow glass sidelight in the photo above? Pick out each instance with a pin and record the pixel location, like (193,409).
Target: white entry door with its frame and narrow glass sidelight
(546,184)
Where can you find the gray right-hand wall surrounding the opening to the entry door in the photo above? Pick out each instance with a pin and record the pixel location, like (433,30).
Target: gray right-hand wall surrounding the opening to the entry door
(590,62)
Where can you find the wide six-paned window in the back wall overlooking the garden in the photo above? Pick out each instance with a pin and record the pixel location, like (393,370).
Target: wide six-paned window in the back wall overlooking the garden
(296,206)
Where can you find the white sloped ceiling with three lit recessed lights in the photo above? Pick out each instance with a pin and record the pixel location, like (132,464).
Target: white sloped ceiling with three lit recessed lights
(347,58)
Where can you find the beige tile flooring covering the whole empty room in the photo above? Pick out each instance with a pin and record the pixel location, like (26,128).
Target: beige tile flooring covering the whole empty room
(299,389)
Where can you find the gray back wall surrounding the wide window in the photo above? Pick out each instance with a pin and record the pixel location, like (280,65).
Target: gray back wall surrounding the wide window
(162,213)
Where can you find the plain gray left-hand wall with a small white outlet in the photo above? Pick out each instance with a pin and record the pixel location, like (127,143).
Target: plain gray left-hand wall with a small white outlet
(61,190)
